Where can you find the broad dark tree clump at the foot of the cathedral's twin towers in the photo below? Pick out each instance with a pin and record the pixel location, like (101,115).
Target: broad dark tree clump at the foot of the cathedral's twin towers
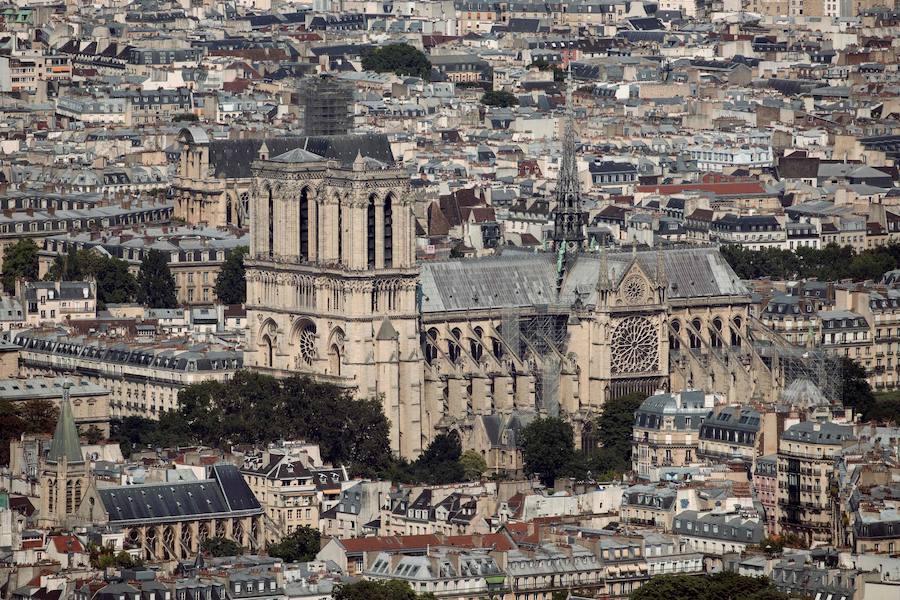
(258,409)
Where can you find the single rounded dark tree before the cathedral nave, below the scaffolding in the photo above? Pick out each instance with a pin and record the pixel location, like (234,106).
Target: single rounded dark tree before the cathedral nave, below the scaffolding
(548,448)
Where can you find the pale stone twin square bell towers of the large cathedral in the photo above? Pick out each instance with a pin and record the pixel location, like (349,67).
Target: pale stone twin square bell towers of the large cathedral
(331,276)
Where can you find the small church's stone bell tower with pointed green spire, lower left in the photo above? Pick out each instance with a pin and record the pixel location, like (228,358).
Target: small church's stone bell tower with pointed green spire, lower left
(64,473)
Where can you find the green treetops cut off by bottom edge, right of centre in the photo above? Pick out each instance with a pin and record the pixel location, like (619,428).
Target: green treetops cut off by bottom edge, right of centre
(711,587)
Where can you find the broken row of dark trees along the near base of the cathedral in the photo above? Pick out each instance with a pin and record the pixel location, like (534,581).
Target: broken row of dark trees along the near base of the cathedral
(257,409)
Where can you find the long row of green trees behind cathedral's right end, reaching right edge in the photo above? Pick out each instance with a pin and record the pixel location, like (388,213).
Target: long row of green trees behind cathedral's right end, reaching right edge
(830,263)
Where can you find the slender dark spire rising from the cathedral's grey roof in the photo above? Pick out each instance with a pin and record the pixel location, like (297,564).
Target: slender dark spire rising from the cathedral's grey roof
(568,218)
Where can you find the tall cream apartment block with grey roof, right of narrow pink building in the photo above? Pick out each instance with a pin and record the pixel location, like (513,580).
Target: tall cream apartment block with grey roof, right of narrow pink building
(806,457)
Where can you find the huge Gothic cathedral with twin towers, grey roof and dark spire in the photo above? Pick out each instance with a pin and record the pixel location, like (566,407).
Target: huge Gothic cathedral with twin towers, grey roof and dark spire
(334,290)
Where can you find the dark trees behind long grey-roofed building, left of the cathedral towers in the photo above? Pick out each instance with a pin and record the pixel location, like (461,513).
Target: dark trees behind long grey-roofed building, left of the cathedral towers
(154,285)
